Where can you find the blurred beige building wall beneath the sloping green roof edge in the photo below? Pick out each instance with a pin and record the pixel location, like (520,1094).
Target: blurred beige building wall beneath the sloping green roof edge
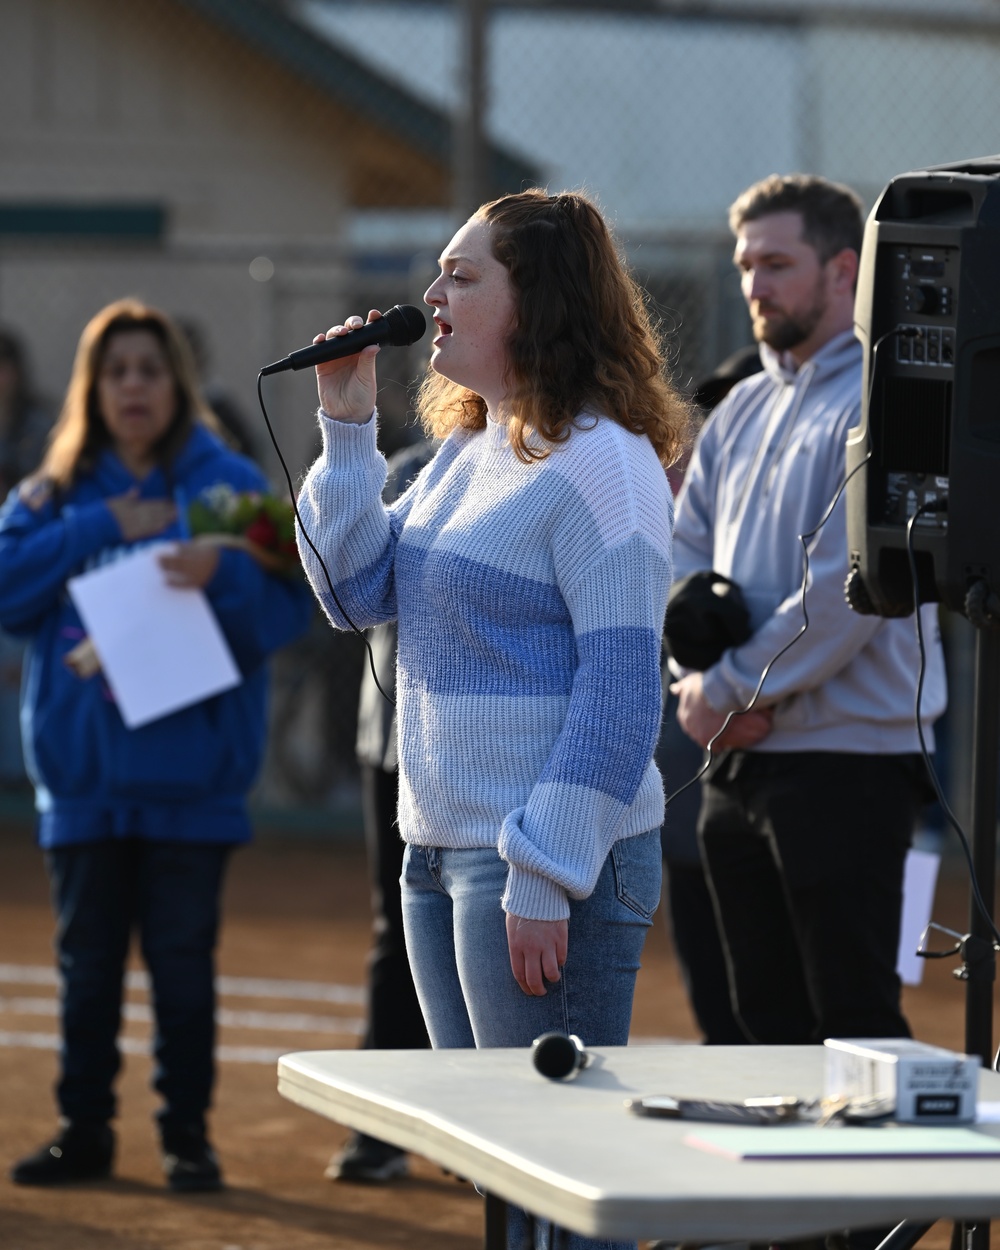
(142,102)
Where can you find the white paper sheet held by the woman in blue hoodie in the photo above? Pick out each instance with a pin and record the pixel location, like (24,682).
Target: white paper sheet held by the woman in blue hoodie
(161,648)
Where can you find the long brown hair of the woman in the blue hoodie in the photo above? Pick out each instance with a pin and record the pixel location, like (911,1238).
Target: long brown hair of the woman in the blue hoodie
(81,436)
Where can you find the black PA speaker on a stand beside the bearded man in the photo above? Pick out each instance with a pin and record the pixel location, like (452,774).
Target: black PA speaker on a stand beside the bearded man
(928,314)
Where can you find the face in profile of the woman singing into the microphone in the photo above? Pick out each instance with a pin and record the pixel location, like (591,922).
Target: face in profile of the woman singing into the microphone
(474,306)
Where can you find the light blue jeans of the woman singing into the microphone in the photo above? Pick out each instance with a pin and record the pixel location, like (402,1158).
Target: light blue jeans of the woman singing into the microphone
(458,948)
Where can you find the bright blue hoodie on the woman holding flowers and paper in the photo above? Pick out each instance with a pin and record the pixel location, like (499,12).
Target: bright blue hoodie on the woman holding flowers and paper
(186,777)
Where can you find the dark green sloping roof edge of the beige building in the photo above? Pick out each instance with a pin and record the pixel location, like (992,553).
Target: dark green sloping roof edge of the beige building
(269,28)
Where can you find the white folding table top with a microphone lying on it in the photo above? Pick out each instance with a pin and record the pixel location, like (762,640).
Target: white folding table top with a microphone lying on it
(569,1151)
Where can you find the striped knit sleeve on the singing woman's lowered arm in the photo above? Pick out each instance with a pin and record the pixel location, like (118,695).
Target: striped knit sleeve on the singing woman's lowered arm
(599,772)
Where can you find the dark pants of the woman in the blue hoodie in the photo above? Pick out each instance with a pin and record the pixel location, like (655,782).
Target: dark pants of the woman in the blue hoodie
(171,892)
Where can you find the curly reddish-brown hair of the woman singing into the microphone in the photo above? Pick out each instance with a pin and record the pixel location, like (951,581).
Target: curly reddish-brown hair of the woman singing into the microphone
(583,338)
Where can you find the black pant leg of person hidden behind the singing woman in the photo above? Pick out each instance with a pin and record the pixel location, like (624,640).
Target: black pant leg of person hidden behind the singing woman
(394,1017)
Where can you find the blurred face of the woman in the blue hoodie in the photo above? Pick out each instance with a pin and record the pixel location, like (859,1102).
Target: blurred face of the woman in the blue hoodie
(137,393)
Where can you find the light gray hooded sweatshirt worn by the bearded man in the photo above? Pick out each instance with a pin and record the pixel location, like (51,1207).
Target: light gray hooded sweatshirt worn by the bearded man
(766,471)
